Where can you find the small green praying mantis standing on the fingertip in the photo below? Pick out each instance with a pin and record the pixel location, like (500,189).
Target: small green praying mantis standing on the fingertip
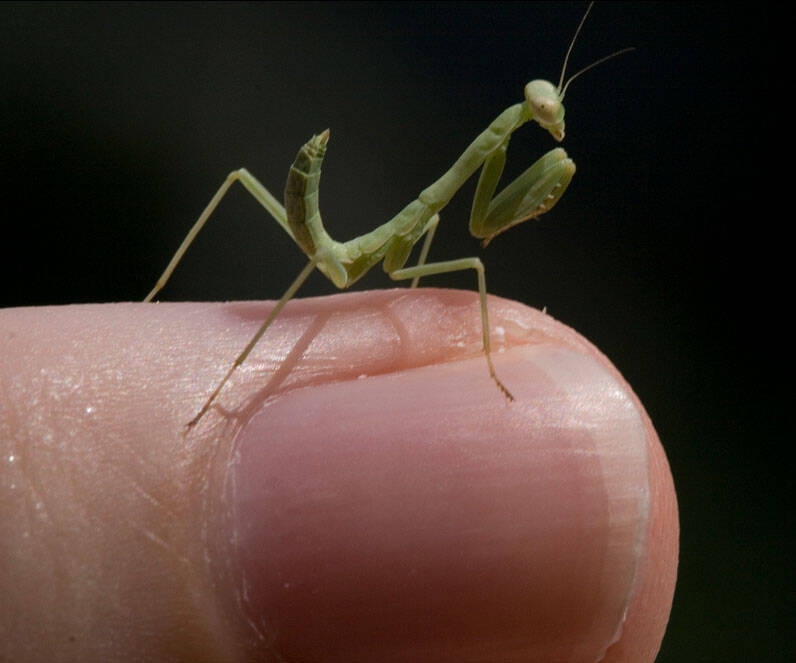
(530,195)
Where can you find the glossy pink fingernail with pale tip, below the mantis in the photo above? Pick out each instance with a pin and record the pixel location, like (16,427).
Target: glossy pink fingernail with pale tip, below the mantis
(418,516)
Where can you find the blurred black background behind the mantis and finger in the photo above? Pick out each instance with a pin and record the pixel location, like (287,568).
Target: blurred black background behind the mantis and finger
(118,122)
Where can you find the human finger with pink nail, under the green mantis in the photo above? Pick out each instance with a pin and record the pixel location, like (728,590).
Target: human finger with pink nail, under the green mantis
(363,492)
